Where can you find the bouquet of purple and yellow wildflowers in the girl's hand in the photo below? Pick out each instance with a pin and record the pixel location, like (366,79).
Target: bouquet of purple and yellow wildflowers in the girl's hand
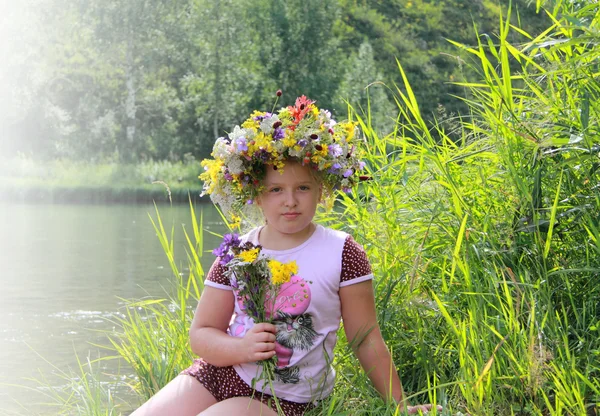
(256,280)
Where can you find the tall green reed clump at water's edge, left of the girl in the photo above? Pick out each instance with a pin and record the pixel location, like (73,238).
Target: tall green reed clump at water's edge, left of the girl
(153,336)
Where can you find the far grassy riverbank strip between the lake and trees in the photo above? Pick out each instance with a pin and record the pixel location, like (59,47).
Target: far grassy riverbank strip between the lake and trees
(24,180)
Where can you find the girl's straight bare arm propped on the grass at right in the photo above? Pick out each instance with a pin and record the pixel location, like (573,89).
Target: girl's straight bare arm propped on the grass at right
(364,336)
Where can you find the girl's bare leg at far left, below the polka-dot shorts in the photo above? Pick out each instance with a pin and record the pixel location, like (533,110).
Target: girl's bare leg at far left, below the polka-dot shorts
(183,396)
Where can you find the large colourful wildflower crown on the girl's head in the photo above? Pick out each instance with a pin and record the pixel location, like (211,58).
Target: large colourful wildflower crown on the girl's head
(302,132)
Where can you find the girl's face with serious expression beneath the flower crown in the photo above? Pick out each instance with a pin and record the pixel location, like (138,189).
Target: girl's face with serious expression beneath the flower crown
(290,199)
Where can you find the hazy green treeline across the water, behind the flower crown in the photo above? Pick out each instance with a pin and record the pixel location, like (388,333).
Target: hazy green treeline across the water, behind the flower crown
(129,80)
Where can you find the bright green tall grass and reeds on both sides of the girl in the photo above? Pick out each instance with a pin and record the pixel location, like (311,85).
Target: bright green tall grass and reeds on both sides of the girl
(486,247)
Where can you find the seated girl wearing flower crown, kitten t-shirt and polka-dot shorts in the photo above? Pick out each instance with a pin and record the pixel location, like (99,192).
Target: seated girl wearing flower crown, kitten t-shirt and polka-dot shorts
(283,164)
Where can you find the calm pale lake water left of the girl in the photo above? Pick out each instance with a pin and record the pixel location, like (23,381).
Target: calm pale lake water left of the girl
(63,269)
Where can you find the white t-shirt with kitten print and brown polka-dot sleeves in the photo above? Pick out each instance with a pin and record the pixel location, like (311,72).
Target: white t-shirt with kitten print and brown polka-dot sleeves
(309,312)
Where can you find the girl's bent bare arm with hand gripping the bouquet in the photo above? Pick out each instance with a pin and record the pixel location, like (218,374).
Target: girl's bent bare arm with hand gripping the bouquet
(209,338)
